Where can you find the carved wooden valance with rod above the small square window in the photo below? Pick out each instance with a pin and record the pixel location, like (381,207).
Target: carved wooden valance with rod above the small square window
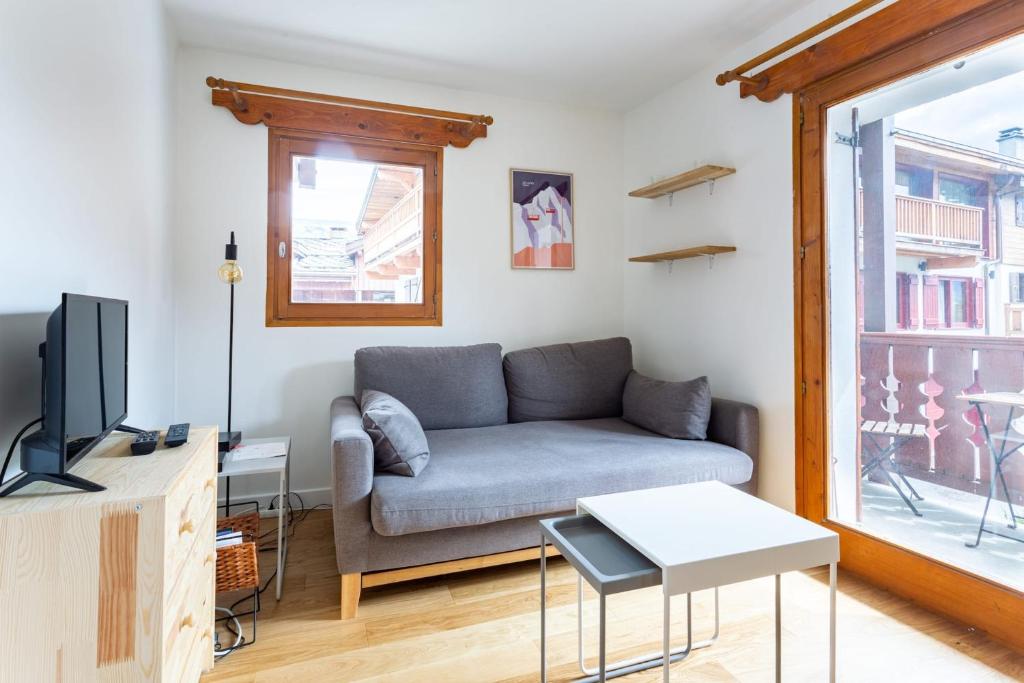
(296,110)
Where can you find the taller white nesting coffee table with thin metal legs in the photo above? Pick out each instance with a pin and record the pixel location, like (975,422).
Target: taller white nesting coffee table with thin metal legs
(708,535)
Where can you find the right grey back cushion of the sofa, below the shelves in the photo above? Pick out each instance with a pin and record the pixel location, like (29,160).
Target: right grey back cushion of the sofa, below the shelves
(578,381)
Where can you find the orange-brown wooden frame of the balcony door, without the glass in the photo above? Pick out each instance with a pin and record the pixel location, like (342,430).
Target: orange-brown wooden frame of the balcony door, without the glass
(937,586)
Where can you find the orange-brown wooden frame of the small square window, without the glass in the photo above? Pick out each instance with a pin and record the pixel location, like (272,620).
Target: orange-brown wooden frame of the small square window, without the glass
(281,311)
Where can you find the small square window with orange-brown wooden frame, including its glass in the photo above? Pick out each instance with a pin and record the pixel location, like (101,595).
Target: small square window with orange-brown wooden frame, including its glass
(356,229)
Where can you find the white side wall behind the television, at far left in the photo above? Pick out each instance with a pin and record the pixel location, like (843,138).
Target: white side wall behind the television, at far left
(87,187)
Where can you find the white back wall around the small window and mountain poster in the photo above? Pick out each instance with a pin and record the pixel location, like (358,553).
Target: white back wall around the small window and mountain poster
(286,377)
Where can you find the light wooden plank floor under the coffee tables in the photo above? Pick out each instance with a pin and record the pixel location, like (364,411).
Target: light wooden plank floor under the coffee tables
(483,626)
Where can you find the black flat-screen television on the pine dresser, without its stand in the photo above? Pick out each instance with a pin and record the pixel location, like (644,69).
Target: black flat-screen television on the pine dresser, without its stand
(95,371)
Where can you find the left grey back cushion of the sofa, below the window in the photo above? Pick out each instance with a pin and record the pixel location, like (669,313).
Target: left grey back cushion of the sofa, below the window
(445,387)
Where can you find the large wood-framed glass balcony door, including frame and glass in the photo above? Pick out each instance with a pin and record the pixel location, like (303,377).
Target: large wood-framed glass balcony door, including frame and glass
(912,420)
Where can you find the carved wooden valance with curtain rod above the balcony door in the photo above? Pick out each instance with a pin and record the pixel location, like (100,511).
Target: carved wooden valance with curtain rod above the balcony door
(869,40)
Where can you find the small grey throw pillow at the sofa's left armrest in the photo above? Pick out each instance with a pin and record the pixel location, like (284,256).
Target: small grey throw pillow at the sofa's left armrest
(400,445)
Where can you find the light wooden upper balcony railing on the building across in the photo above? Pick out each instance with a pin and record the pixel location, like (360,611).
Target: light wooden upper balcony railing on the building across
(936,224)
